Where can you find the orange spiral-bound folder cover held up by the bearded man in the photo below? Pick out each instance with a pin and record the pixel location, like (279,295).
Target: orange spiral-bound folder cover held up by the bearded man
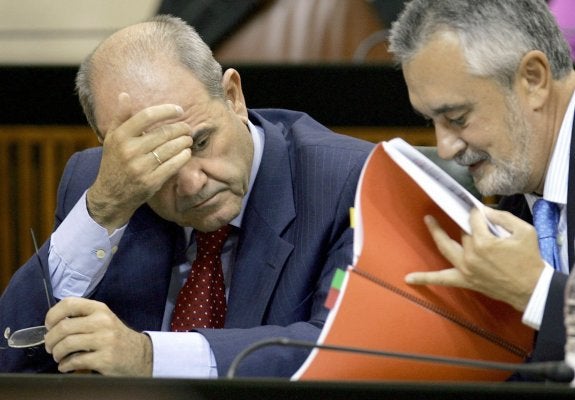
(377,310)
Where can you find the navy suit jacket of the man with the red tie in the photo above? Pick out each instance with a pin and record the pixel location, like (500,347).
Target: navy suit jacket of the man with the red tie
(295,232)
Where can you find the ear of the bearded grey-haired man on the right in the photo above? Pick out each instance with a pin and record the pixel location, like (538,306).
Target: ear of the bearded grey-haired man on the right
(535,79)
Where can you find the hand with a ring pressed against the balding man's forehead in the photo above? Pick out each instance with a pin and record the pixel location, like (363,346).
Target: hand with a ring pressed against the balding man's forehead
(130,173)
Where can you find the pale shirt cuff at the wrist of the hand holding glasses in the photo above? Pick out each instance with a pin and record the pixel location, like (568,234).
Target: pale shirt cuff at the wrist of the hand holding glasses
(182,355)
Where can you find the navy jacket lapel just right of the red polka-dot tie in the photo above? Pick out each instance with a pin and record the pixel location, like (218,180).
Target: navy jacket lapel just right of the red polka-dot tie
(262,252)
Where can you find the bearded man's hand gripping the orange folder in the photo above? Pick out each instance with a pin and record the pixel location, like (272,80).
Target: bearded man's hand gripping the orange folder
(503,268)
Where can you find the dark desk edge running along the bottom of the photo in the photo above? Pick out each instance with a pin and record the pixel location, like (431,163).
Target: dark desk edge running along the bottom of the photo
(79,387)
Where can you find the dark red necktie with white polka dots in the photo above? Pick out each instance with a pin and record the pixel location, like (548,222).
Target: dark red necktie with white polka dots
(201,302)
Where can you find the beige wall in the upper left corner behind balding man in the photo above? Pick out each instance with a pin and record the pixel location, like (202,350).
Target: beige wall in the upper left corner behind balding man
(62,32)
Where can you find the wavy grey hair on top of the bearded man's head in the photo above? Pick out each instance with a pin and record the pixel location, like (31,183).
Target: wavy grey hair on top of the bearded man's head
(494,34)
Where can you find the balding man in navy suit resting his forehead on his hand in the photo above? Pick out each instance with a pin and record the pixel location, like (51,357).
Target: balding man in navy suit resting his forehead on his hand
(183,158)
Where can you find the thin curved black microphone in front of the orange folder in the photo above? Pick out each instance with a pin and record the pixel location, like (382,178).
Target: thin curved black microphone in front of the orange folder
(557,371)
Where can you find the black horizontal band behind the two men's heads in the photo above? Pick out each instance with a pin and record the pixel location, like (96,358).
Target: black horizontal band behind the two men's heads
(334,94)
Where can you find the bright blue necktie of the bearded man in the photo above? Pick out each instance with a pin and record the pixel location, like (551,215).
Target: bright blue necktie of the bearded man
(545,220)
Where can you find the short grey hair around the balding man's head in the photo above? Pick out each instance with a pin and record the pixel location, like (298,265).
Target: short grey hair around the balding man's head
(161,34)
